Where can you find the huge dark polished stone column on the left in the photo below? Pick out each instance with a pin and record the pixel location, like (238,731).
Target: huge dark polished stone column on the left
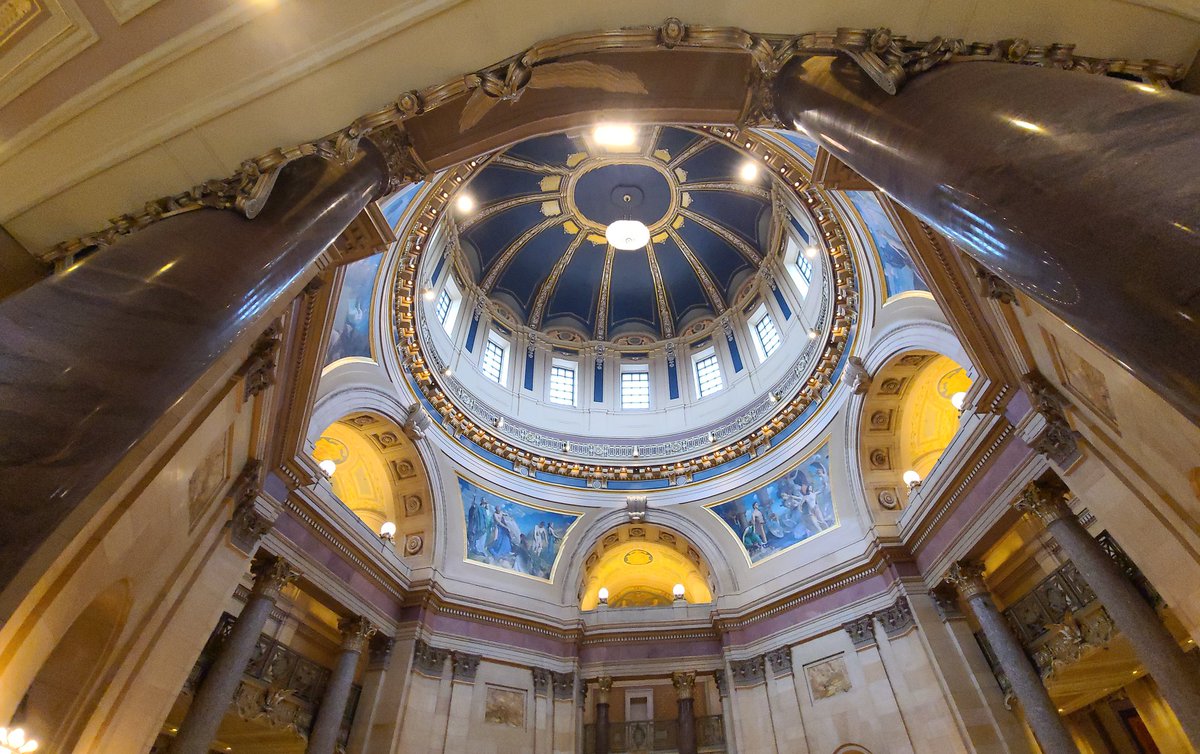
(95,357)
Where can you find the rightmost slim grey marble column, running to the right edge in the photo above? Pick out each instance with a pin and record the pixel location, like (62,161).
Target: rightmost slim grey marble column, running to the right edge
(1156,648)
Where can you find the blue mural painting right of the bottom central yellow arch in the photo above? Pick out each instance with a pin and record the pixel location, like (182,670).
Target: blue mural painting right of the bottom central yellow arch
(785,512)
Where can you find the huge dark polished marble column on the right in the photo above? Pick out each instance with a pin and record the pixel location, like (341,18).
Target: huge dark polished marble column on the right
(1037,173)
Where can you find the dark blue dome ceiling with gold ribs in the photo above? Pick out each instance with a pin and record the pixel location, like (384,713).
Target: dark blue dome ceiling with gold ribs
(535,236)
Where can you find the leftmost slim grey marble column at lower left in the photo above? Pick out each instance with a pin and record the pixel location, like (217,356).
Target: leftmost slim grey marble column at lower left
(215,693)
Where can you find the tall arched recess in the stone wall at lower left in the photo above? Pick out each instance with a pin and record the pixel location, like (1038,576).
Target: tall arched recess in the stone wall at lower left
(62,698)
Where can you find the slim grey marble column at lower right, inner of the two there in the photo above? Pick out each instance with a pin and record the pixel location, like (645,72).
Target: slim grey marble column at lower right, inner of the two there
(1041,713)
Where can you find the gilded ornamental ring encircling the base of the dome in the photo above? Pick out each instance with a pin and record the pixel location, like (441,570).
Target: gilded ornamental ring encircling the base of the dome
(728,445)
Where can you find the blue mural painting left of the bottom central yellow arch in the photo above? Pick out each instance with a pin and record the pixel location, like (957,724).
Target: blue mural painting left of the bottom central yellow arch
(512,536)
